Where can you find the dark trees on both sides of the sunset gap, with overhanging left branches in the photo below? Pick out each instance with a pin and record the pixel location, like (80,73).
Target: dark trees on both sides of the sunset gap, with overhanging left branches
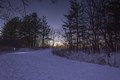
(89,25)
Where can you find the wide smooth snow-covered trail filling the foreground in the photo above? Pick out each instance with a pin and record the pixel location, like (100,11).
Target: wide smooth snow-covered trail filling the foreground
(42,65)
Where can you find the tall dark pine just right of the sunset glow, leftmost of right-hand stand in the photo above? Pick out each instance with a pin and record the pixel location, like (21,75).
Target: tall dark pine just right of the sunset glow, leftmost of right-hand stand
(74,25)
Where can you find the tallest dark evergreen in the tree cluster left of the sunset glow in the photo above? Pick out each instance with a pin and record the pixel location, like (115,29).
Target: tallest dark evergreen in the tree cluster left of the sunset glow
(30,30)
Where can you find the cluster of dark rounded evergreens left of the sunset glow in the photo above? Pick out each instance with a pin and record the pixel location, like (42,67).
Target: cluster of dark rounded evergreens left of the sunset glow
(30,31)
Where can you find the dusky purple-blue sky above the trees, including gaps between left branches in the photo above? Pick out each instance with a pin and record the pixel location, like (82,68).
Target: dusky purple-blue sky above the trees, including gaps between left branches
(54,10)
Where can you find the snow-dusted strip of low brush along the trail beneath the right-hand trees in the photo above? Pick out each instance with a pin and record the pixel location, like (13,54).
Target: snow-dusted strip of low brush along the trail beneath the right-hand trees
(97,58)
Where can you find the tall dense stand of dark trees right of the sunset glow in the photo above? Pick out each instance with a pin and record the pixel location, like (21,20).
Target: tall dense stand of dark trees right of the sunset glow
(93,25)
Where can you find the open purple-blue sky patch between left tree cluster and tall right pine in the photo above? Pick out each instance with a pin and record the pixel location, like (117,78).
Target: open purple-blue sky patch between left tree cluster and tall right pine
(54,12)
